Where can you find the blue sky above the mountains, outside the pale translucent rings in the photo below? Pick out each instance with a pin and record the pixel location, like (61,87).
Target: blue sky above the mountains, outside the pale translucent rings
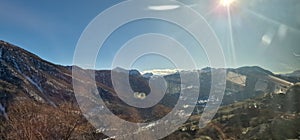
(262,33)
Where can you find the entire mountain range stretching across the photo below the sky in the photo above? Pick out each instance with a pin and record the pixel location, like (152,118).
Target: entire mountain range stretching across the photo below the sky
(25,77)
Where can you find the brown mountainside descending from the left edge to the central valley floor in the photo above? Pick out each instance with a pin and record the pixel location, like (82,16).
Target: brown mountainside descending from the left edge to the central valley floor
(25,76)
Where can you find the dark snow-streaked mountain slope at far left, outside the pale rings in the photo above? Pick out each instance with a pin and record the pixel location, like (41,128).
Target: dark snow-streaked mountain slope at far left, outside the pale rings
(33,77)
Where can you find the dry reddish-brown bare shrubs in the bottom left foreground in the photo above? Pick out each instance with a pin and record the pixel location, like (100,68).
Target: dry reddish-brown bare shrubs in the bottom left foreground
(35,121)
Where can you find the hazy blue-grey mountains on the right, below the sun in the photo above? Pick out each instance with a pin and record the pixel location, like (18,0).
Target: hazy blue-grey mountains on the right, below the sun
(241,83)
